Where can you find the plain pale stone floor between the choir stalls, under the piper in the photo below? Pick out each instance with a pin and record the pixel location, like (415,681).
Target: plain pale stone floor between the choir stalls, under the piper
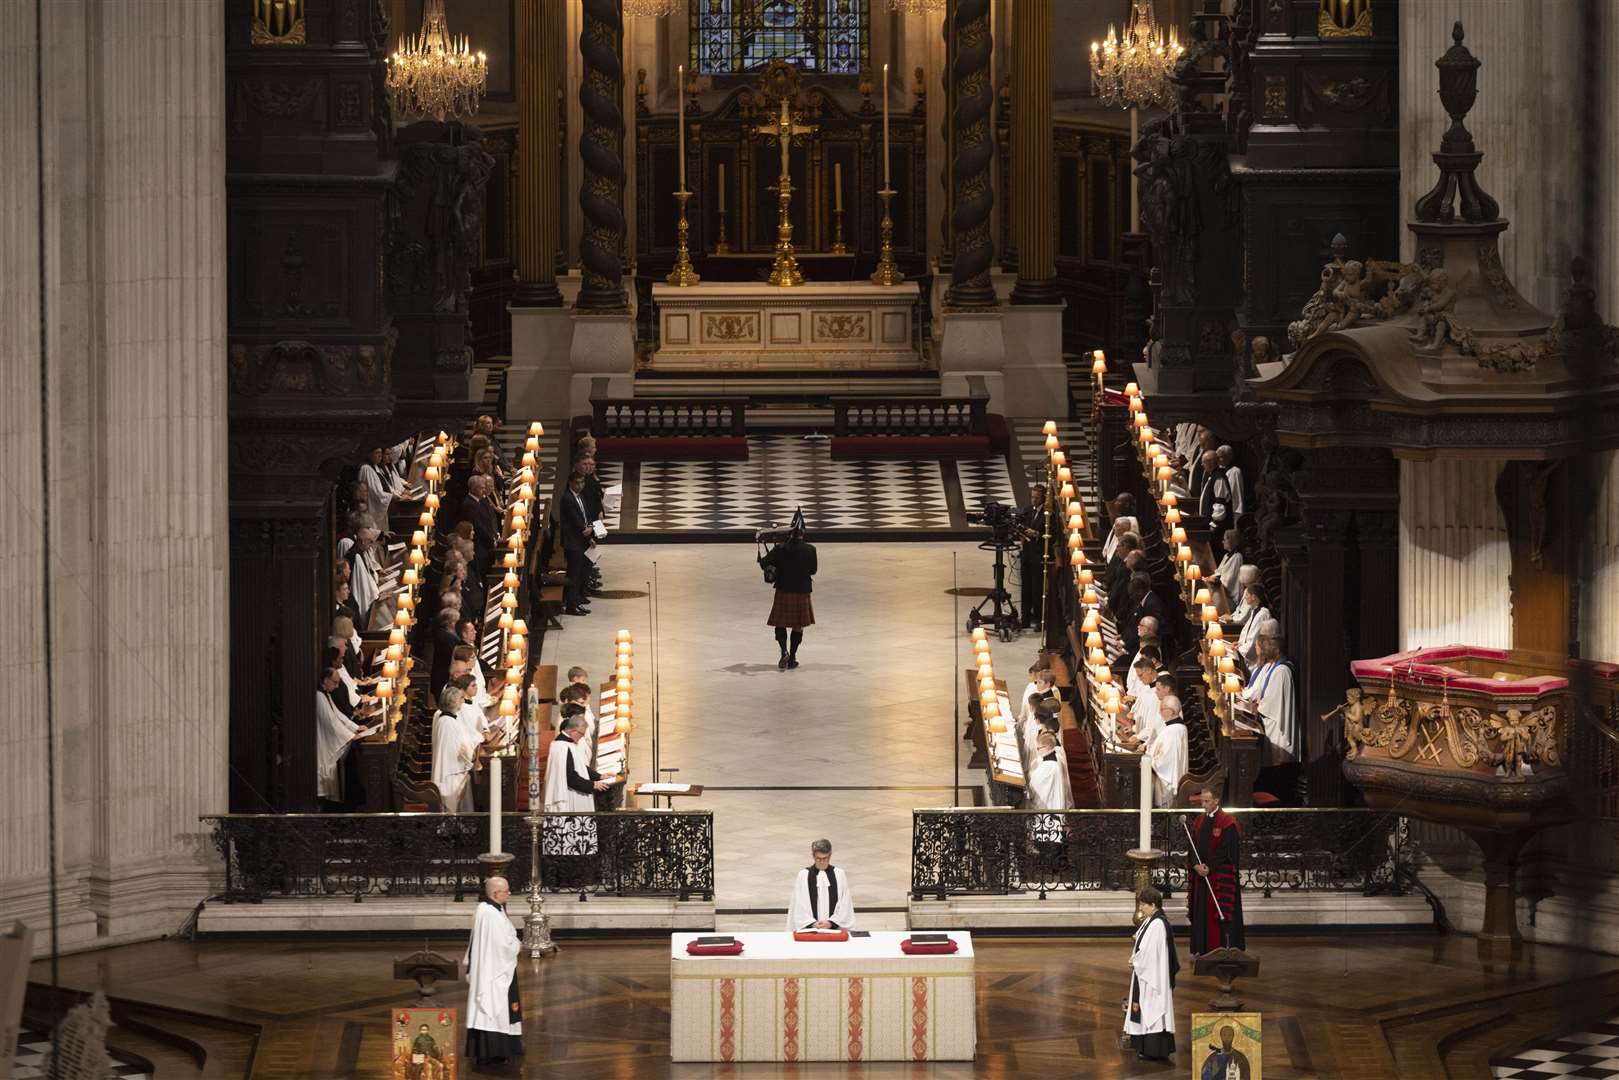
(844,747)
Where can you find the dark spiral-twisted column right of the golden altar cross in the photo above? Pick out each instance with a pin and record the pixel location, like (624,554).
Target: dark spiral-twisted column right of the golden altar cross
(975,151)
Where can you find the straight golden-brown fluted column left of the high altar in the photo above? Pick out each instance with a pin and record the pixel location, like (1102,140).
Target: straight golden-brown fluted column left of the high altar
(540,28)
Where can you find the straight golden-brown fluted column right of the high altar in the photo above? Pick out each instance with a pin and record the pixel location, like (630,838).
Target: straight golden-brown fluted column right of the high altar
(1032,156)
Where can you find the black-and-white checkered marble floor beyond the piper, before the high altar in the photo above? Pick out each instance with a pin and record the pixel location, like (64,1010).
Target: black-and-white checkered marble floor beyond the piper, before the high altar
(788,472)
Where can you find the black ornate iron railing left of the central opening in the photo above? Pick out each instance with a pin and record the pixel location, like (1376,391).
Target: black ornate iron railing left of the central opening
(631,853)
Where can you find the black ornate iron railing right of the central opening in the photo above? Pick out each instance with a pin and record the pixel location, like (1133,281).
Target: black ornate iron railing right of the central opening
(996,851)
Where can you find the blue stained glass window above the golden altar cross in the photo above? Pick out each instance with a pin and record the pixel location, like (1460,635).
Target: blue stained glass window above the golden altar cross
(737,36)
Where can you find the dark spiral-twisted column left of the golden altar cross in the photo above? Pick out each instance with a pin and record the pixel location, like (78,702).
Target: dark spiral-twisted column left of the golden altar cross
(601,151)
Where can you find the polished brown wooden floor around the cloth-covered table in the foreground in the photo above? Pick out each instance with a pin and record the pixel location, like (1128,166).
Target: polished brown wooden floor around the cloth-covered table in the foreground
(1364,1006)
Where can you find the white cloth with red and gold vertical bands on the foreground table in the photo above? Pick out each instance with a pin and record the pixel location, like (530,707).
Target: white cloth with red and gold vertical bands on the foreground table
(859,1000)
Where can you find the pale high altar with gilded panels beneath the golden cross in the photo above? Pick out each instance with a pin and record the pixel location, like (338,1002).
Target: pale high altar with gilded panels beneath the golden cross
(757,328)
